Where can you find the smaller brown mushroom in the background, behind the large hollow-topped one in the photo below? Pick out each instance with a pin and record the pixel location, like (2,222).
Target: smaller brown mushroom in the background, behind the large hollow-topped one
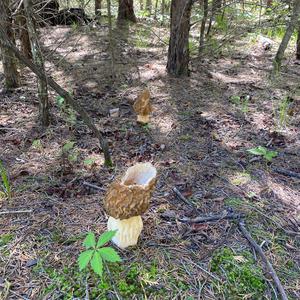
(143,107)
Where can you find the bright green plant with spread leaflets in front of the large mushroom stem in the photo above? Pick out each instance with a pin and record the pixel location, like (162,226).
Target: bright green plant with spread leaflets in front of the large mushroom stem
(95,254)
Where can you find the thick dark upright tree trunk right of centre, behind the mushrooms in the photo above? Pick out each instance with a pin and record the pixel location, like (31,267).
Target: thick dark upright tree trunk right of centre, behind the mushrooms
(178,54)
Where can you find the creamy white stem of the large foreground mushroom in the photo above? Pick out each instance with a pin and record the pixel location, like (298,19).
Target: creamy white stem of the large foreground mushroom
(128,232)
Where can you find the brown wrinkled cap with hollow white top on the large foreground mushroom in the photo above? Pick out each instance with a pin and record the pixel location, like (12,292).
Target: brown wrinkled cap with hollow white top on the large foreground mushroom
(130,196)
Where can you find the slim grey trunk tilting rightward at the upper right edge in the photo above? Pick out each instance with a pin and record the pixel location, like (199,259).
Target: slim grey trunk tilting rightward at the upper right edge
(287,36)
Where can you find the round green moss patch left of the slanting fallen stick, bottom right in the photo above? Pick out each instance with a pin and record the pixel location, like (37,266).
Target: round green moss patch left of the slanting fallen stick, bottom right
(243,278)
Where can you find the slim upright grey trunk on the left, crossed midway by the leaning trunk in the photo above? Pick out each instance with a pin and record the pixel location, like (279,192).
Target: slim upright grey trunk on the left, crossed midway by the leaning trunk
(39,61)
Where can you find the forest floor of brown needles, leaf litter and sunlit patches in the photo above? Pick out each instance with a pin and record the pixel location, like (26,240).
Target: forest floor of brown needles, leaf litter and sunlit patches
(198,137)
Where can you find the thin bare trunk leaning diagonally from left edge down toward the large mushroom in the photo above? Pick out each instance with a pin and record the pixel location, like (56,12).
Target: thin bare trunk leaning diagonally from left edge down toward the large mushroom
(6,43)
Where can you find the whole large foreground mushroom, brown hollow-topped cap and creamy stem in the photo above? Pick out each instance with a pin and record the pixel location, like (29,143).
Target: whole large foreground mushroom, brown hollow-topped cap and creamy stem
(126,200)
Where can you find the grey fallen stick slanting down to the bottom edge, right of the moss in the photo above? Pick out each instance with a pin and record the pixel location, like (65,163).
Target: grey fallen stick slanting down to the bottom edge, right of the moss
(259,250)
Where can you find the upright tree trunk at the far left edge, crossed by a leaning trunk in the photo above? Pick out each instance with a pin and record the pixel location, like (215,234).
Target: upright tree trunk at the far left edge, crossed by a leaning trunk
(11,74)
